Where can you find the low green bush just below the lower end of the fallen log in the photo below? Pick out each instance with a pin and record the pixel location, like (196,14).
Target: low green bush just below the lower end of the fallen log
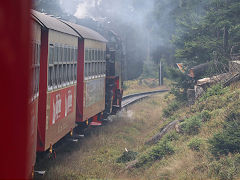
(162,149)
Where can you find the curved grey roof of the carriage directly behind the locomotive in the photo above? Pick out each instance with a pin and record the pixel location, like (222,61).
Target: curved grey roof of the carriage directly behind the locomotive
(85,32)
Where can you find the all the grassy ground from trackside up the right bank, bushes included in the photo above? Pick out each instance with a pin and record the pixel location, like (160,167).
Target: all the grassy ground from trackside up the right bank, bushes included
(183,155)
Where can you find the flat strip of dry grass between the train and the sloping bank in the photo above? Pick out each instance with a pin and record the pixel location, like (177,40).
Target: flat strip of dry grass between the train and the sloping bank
(94,157)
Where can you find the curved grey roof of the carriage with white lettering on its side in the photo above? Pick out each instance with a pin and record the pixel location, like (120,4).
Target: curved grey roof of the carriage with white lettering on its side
(49,21)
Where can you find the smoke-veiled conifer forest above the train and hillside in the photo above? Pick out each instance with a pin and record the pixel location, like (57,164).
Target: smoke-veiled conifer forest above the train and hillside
(171,31)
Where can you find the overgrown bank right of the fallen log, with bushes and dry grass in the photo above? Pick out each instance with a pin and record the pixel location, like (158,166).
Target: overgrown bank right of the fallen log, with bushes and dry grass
(207,142)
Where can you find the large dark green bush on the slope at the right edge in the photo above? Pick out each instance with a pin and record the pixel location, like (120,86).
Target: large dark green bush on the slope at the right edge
(228,140)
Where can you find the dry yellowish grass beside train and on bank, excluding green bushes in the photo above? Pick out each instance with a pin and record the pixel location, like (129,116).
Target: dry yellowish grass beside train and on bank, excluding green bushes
(95,156)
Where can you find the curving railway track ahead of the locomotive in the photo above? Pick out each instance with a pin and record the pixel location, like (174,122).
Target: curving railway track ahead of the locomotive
(132,98)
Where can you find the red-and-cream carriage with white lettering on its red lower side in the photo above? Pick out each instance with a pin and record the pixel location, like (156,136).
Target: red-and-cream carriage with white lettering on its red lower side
(58,77)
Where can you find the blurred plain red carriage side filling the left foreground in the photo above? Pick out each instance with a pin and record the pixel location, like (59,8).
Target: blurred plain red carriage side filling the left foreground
(15,62)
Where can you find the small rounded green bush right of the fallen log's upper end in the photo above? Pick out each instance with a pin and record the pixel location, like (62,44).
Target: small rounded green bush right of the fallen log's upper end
(191,126)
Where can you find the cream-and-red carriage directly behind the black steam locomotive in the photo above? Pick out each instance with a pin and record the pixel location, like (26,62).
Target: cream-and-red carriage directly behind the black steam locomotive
(91,75)
